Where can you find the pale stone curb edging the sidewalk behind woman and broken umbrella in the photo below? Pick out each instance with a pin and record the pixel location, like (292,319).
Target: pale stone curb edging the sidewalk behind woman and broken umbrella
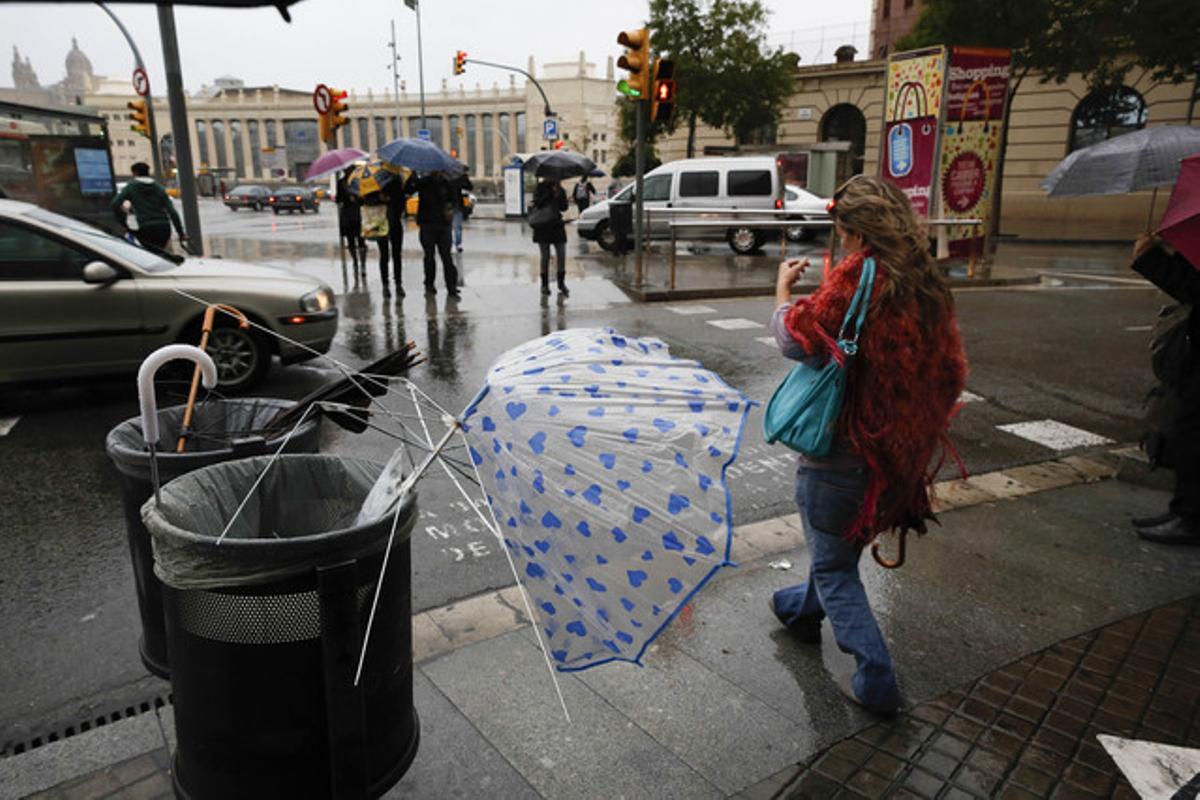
(487,616)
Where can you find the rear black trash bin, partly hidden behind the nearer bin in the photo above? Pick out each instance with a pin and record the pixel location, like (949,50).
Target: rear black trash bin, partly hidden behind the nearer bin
(221,431)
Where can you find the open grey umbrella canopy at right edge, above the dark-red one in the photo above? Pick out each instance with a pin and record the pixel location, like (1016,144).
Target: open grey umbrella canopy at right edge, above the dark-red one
(1131,163)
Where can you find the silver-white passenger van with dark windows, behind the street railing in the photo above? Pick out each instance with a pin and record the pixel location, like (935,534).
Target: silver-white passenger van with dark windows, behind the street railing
(716,184)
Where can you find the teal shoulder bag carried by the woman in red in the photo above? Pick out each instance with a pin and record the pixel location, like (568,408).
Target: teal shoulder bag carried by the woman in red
(805,410)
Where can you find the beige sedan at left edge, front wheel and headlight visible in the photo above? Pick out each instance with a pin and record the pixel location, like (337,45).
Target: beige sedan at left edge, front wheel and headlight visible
(76,302)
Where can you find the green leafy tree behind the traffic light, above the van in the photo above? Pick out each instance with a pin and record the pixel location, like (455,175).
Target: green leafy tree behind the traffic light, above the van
(725,74)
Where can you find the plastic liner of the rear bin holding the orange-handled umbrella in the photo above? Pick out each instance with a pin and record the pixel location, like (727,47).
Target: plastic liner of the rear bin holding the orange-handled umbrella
(221,430)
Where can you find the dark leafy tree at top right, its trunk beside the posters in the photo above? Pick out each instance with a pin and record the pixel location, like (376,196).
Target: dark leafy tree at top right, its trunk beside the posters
(1102,40)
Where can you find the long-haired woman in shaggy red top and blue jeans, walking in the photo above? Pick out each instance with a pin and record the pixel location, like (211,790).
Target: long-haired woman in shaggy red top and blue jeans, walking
(903,388)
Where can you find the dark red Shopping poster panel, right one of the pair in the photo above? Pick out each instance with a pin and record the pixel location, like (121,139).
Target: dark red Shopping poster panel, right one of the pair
(976,97)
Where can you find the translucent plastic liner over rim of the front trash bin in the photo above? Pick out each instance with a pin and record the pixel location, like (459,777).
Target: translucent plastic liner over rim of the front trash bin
(302,516)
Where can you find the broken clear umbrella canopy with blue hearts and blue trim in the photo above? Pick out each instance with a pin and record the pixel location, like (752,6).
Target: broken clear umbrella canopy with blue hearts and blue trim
(604,460)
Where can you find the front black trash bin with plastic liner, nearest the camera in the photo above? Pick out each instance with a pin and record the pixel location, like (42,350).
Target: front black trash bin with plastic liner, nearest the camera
(266,627)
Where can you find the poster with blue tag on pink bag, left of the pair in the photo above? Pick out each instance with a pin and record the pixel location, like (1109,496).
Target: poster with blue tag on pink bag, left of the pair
(911,127)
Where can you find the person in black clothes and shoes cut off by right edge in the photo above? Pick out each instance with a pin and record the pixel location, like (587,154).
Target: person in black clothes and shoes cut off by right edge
(1177,402)
